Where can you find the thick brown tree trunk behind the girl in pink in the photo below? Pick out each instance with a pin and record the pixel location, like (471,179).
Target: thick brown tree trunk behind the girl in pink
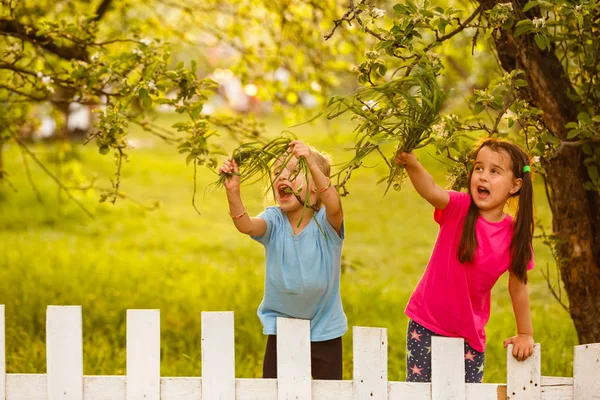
(575,211)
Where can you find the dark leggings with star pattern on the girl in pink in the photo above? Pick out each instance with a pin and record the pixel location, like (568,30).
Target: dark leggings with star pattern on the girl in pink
(418,356)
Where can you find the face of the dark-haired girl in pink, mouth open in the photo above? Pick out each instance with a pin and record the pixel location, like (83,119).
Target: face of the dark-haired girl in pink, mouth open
(493,182)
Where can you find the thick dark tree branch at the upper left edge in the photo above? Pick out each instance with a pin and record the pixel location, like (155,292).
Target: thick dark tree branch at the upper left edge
(13,28)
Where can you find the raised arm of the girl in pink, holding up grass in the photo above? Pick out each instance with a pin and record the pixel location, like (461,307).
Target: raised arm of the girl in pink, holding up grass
(423,181)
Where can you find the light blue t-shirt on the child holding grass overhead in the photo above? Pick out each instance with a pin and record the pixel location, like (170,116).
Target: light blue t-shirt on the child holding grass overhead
(303,275)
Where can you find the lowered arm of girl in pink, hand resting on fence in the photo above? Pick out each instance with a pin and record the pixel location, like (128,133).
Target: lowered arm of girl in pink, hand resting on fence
(523,342)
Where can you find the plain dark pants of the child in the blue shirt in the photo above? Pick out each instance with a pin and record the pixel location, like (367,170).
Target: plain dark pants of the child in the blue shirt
(325,359)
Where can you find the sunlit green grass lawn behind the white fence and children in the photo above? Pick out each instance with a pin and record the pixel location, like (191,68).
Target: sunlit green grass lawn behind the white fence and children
(183,263)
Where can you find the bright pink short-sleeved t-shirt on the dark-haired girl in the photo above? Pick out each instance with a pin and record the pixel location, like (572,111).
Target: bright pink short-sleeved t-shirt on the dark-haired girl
(453,299)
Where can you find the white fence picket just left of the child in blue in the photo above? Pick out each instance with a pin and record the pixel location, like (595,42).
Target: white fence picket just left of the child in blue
(218,356)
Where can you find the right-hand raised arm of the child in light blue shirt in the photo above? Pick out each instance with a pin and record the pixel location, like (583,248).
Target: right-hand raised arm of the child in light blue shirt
(329,196)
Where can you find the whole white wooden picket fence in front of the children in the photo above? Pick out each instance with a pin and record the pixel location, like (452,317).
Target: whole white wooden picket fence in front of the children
(64,379)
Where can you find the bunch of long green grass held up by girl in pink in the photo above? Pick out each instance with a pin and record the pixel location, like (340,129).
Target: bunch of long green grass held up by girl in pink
(398,113)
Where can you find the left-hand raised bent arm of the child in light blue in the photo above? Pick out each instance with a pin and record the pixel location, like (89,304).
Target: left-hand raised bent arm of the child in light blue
(238,212)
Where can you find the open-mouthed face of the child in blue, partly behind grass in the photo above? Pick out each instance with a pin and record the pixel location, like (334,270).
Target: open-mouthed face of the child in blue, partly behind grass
(289,178)
